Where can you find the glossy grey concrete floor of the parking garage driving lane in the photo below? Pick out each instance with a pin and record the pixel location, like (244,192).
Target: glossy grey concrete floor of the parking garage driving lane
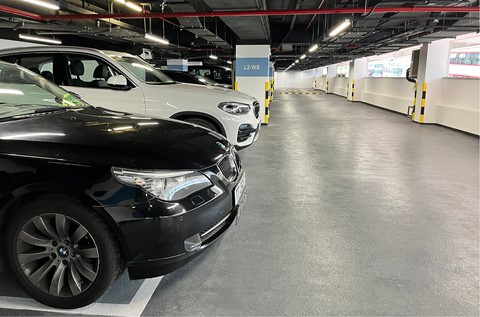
(352,210)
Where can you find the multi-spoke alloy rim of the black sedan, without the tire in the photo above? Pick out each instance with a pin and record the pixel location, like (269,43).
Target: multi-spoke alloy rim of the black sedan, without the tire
(57,255)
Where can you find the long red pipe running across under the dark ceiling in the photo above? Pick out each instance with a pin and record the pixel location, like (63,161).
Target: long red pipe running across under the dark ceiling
(259,13)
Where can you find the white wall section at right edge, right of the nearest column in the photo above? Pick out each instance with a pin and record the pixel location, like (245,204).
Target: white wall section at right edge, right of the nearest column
(459,104)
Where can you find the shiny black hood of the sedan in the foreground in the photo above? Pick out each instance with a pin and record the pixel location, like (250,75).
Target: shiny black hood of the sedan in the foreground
(96,136)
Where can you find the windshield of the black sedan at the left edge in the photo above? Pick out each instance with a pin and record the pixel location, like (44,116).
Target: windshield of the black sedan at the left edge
(24,92)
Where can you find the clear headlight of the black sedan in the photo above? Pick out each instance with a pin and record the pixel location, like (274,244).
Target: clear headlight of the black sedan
(164,184)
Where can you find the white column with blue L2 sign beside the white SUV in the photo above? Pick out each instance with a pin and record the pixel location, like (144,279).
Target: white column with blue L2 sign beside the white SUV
(252,74)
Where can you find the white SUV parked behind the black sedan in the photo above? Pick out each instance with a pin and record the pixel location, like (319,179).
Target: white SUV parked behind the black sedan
(127,83)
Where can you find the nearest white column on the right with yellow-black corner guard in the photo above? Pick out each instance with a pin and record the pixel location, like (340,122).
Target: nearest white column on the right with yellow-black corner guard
(432,67)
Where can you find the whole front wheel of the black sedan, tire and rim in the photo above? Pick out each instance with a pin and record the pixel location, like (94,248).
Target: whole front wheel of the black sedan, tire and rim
(62,252)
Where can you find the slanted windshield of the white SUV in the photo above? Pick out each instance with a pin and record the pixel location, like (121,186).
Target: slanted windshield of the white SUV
(143,70)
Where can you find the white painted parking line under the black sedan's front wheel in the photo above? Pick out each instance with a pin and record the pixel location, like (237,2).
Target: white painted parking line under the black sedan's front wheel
(135,308)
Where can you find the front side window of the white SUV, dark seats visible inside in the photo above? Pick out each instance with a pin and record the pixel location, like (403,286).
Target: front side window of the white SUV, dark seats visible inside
(88,71)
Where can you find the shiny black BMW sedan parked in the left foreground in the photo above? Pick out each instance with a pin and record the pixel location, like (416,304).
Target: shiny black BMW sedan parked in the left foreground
(86,192)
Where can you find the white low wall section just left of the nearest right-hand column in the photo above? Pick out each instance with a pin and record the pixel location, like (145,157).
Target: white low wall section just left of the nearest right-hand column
(390,93)
